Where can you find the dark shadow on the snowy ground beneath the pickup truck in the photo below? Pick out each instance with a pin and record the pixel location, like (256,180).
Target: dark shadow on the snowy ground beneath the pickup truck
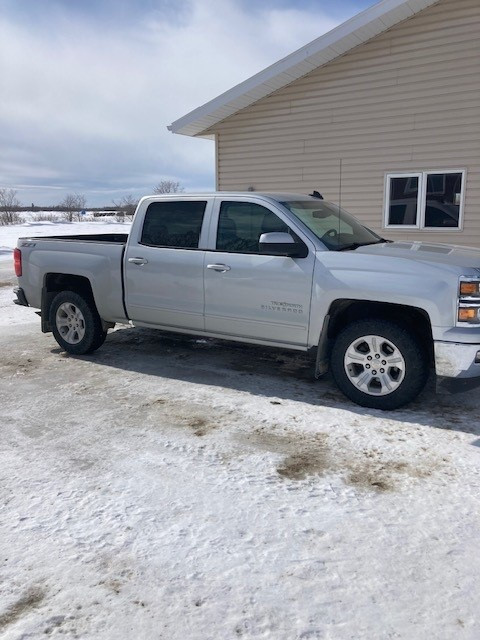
(267,372)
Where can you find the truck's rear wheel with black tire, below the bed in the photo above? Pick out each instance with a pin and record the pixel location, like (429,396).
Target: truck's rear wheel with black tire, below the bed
(89,334)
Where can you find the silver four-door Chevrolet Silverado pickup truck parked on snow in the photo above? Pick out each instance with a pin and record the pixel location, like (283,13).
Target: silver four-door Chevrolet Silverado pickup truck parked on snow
(284,270)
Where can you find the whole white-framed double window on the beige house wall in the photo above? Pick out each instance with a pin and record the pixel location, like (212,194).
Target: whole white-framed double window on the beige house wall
(428,200)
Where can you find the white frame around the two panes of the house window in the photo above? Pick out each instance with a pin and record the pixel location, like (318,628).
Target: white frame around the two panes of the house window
(422,200)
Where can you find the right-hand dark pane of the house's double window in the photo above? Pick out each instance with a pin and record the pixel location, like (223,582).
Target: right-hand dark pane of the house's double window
(444,196)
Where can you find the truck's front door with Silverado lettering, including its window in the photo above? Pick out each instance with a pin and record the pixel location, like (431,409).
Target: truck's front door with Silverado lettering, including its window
(252,295)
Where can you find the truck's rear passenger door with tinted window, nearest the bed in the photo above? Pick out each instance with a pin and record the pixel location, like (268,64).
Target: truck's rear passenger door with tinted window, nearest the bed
(164,265)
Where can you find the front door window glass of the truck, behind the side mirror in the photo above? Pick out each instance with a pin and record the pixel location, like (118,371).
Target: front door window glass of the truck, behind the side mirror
(241,224)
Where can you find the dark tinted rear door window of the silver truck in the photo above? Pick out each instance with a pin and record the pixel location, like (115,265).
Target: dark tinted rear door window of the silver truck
(173,224)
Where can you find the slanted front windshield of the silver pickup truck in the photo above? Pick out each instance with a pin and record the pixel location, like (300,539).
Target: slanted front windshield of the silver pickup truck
(336,228)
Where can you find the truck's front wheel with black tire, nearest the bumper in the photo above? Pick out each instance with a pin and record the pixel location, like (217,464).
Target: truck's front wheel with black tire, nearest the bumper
(408,383)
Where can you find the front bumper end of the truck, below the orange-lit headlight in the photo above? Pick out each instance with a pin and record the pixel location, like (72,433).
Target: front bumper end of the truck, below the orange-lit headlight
(457,360)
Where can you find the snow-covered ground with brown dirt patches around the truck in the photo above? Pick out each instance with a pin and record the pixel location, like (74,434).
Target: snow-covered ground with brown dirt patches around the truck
(175,488)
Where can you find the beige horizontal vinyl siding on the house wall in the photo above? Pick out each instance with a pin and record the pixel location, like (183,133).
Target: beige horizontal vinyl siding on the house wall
(409,100)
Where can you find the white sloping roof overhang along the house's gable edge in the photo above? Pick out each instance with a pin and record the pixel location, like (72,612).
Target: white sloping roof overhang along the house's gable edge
(359,29)
